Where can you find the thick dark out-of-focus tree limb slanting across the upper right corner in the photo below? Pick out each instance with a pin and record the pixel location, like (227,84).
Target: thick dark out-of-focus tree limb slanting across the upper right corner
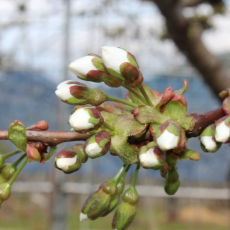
(190,44)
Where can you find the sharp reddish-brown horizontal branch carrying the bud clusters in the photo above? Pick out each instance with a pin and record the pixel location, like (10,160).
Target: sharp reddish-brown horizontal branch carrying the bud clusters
(57,137)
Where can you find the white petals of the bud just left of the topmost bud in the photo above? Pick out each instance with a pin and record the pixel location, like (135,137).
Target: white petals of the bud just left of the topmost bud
(82,66)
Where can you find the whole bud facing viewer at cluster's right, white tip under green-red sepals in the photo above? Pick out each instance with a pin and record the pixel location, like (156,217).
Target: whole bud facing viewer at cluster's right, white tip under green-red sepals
(169,136)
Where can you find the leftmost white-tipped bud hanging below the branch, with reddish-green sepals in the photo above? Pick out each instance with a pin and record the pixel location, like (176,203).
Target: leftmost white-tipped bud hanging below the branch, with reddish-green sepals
(67,161)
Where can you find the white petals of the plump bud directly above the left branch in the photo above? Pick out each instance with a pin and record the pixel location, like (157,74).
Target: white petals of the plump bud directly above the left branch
(79,119)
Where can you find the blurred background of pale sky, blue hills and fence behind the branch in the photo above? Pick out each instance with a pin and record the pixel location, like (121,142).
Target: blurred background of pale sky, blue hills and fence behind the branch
(38,40)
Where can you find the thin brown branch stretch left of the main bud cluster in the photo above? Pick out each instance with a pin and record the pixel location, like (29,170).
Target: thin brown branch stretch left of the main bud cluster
(50,137)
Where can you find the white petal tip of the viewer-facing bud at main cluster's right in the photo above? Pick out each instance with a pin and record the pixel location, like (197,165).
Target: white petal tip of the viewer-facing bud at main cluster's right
(167,140)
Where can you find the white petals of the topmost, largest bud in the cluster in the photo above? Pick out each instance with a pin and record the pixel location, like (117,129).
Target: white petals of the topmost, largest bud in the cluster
(113,57)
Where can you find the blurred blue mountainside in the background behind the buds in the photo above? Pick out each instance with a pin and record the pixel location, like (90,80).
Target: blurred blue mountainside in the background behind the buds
(29,97)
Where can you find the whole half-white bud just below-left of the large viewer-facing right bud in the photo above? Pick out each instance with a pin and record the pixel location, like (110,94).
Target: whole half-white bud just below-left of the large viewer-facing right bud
(151,158)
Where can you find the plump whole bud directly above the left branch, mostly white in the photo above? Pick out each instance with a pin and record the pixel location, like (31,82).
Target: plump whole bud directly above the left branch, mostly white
(84,119)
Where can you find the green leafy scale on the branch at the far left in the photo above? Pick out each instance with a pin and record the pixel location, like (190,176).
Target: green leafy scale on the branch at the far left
(17,135)
